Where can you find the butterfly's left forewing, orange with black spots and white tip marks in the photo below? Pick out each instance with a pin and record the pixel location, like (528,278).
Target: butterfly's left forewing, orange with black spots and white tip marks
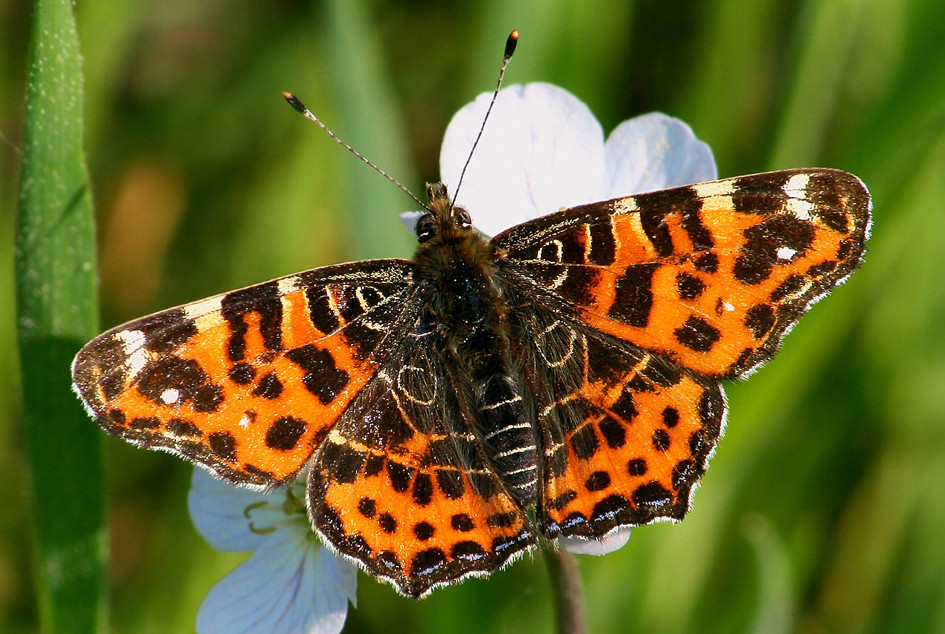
(247,383)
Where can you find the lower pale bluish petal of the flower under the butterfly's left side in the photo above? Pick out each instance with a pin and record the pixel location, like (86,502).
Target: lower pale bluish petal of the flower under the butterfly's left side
(291,584)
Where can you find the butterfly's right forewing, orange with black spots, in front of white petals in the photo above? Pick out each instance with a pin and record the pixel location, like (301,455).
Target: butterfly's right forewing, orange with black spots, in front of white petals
(710,275)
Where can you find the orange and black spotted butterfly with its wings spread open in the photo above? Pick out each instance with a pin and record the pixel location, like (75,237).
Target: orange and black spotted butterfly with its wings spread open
(559,380)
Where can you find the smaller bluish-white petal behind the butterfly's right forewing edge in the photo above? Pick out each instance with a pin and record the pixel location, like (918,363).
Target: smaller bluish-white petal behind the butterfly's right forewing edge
(655,151)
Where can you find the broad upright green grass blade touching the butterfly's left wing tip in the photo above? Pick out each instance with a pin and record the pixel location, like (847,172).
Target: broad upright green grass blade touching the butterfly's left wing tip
(56,313)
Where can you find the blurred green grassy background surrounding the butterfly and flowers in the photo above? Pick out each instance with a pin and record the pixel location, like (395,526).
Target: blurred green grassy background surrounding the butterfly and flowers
(824,507)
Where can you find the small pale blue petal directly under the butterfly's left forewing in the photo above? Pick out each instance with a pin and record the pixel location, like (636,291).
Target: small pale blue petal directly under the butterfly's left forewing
(219,511)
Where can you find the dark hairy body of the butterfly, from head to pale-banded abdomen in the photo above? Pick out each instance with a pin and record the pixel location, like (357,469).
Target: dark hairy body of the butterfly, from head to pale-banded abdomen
(466,307)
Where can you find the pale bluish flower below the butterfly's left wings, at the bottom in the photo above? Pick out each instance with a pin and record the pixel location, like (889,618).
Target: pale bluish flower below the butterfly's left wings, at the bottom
(291,583)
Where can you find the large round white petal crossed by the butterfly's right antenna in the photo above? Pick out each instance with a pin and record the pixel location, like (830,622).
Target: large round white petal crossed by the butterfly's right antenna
(542,150)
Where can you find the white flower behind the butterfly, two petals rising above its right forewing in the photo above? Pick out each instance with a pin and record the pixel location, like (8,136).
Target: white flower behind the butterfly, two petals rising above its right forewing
(543,150)
